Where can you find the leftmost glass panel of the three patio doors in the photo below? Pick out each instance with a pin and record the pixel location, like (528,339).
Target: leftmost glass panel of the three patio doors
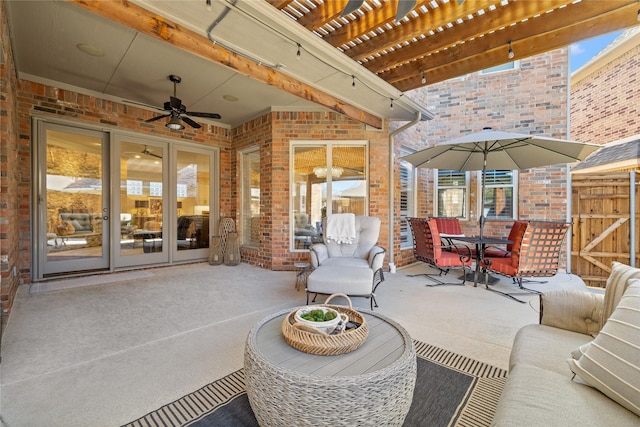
(73,204)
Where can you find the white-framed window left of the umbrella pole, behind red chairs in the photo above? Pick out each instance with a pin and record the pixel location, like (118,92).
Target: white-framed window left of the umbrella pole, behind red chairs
(452,194)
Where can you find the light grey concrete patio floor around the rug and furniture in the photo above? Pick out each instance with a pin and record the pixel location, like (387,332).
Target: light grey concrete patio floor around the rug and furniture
(105,350)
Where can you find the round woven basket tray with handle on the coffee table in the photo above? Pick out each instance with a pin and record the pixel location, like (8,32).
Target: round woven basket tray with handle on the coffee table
(311,340)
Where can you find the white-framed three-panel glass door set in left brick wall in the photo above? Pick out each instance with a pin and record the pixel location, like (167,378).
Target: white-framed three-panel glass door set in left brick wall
(110,200)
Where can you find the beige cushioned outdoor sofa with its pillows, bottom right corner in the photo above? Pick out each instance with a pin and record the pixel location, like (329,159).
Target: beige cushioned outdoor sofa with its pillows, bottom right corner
(541,389)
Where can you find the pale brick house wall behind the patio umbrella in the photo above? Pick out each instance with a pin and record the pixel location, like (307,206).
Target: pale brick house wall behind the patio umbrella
(532,99)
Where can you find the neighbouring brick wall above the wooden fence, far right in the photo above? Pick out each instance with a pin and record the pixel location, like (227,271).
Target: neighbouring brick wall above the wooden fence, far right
(602,103)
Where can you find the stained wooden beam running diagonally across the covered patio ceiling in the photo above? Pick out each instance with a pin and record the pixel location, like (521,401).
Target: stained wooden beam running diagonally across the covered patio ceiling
(146,22)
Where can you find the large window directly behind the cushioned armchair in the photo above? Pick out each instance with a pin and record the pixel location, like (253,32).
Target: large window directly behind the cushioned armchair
(326,178)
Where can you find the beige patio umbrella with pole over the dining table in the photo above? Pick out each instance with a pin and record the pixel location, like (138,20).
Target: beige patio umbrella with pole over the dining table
(497,150)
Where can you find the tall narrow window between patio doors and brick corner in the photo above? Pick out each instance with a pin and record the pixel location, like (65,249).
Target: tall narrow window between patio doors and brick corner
(250,164)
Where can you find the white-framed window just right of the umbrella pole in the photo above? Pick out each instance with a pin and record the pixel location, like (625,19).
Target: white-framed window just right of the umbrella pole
(499,195)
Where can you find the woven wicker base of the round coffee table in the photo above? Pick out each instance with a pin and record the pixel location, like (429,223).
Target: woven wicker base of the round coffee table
(281,396)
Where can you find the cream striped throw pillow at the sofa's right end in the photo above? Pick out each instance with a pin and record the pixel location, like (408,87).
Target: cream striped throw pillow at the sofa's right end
(611,363)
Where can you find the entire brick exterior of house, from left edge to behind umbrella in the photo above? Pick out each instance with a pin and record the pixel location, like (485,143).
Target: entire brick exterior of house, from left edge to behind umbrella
(506,100)
